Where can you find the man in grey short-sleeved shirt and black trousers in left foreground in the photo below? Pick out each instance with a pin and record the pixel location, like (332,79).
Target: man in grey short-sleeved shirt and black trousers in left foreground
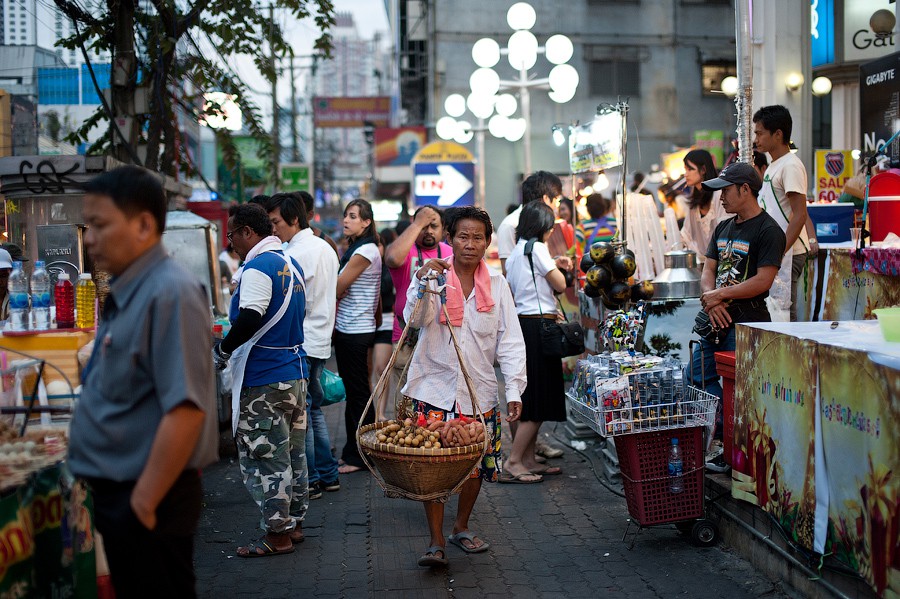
(146,421)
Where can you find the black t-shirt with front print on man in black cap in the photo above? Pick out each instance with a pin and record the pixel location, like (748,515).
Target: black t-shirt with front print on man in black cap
(741,248)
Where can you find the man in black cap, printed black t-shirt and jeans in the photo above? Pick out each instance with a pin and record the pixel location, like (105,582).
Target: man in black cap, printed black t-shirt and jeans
(742,260)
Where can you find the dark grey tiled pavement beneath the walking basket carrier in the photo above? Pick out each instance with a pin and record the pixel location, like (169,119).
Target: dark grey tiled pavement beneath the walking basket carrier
(561,538)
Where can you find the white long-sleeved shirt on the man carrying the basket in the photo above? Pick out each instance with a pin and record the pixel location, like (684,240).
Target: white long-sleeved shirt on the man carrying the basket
(434,374)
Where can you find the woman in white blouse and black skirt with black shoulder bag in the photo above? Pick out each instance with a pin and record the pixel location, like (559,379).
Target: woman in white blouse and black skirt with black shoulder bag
(533,283)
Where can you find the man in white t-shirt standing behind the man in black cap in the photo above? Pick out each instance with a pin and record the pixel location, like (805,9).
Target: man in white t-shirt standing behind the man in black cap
(783,197)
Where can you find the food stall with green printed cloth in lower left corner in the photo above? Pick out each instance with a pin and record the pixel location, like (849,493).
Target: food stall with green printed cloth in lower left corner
(45,514)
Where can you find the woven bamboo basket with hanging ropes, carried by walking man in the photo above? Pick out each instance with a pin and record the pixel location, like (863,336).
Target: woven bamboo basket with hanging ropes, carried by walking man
(417,473)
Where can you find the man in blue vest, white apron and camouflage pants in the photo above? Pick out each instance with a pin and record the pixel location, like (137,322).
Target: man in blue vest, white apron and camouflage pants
(270,367)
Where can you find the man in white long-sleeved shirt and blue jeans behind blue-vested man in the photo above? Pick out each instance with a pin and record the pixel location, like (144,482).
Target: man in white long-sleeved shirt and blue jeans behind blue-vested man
(319,263)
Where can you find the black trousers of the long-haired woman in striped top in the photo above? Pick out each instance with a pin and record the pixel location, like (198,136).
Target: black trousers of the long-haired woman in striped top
(352,354)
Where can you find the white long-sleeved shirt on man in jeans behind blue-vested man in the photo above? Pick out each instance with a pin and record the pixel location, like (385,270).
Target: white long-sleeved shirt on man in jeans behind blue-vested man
(319,264)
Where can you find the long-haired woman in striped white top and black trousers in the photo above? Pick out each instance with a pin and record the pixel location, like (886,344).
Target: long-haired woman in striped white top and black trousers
(358,291)
